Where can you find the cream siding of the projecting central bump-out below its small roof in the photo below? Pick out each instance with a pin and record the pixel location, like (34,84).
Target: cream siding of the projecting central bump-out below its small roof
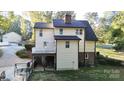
(67,58)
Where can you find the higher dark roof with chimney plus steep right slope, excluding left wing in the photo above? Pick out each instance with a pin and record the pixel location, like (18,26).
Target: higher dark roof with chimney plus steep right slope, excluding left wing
(90,35)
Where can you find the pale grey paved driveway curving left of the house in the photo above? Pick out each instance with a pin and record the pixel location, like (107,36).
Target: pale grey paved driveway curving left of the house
(9,57)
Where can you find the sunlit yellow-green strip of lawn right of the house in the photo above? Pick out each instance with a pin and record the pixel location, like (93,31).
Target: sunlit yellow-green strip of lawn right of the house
(111,53)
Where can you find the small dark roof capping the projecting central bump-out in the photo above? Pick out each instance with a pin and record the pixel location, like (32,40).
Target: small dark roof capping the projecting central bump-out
(58,37)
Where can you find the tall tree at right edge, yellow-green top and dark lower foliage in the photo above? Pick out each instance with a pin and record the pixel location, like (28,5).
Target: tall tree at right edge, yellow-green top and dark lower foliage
(117,31)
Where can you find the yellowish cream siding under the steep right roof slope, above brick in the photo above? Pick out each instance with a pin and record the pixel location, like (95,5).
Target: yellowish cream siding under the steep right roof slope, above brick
(89,46)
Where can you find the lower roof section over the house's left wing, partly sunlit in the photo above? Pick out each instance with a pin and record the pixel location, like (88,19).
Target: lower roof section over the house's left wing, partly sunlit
(40,25)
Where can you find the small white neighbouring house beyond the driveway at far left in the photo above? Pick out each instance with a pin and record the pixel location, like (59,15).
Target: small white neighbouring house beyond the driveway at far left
(12,37)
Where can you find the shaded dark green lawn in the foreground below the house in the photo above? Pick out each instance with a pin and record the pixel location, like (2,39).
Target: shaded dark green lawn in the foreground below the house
(98,73)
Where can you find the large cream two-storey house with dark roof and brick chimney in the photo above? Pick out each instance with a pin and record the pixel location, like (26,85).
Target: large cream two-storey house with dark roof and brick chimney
(64,44)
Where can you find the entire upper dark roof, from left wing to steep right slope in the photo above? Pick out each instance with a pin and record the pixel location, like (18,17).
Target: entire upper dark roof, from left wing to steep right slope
(89,33)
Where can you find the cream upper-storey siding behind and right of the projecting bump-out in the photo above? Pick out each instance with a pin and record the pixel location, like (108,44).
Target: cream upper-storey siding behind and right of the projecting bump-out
(72,31)
